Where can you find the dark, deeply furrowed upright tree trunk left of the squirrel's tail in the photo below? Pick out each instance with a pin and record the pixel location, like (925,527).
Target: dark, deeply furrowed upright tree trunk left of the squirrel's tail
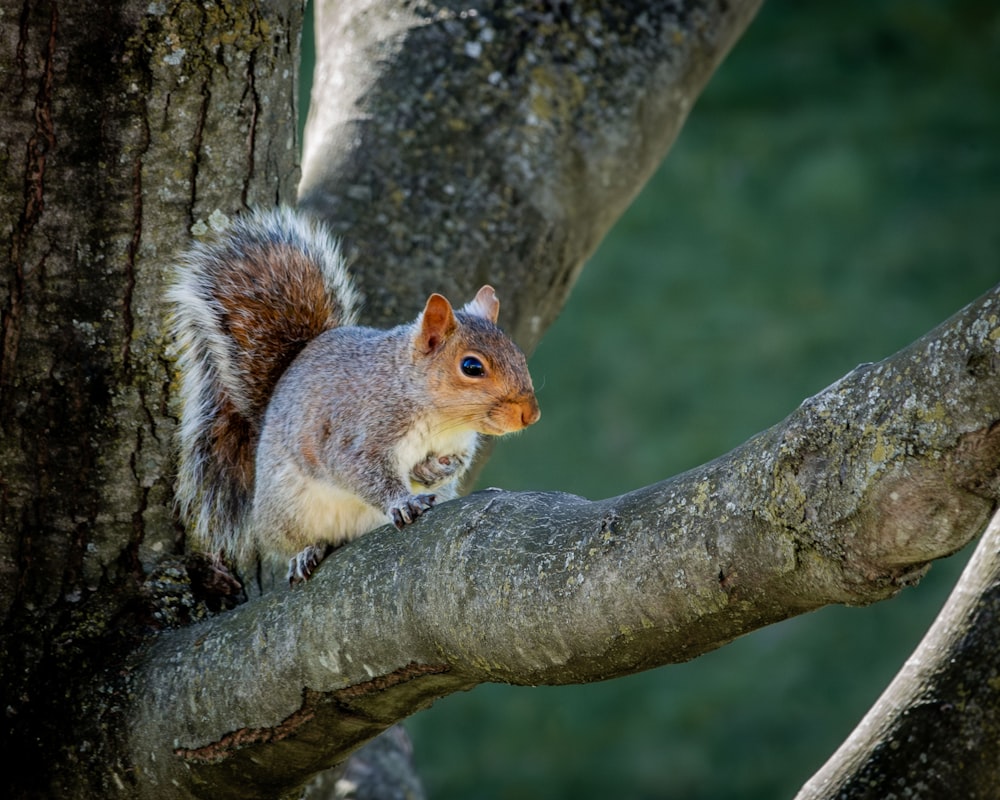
(125,125)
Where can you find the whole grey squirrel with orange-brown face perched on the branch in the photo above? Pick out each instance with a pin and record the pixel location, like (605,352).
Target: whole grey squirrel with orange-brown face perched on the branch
(300,429)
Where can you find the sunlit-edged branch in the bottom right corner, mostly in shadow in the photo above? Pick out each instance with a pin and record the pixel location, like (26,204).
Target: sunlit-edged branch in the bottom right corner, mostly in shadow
(935,731)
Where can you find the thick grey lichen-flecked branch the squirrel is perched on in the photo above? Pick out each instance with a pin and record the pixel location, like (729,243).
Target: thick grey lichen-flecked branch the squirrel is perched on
(844,501)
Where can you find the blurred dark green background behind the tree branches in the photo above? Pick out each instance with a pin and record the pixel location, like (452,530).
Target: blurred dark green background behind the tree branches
(834,195)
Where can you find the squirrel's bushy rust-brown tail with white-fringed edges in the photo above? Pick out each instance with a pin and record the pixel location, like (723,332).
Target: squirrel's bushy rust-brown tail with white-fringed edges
(244,306)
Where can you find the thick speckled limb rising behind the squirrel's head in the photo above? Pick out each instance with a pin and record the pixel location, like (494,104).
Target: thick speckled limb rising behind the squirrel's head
(495,144)
